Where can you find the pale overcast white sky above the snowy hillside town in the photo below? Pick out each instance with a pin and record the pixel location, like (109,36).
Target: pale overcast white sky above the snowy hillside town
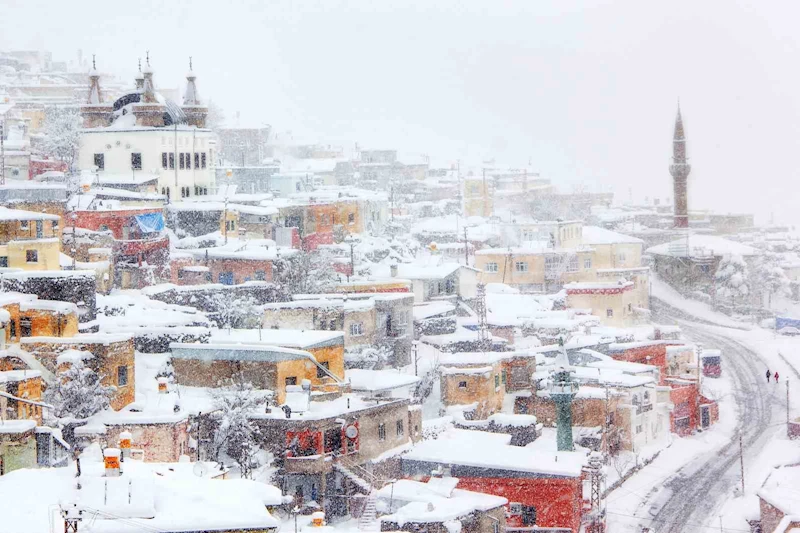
(586,91)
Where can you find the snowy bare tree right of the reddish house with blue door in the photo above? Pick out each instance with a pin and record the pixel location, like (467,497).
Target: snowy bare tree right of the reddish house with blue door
(305,272)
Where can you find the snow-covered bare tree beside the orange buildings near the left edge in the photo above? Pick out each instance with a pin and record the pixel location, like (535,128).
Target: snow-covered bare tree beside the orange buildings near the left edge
(77,393)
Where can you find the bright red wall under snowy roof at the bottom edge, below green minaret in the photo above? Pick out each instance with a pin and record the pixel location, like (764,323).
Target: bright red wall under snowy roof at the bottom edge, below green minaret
(558,501)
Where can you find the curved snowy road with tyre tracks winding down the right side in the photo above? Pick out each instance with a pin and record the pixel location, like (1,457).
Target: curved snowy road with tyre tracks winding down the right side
(701,486)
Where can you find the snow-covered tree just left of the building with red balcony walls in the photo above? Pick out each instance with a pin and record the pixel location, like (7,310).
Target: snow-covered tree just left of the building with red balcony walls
(236,436)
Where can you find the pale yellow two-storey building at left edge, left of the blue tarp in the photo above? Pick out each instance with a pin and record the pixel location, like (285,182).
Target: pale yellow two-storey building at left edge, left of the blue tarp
(29,240)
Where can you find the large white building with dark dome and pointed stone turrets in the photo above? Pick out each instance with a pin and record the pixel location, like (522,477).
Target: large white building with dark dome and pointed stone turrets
(143,135)
